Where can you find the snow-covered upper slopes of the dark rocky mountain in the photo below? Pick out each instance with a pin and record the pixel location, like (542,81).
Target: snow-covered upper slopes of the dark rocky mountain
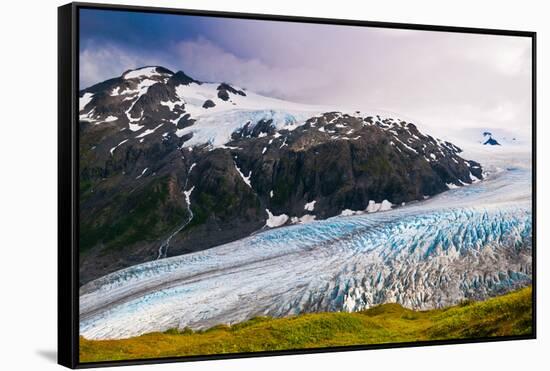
(209,113)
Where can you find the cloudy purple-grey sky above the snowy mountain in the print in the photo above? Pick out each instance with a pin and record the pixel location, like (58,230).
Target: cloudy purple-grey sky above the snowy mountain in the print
(447,81)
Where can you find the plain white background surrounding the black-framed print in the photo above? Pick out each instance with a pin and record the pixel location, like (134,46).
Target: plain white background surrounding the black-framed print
(28,182)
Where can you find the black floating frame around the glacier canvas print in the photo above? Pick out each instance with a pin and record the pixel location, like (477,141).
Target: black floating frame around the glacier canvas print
(68,178)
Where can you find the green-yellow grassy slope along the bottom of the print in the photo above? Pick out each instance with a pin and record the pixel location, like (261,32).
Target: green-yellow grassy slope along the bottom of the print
(509,314)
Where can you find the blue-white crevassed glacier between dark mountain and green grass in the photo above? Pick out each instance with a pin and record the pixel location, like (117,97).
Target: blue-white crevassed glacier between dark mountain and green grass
(470,242)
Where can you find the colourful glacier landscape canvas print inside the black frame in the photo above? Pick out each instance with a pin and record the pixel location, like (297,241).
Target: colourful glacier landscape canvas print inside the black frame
(252,185)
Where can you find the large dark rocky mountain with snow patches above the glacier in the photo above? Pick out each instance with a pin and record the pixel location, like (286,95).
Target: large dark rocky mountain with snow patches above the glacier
(171,165)
